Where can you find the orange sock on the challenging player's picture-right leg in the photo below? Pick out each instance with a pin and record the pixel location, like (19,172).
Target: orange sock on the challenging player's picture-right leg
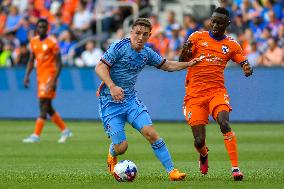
(230,141)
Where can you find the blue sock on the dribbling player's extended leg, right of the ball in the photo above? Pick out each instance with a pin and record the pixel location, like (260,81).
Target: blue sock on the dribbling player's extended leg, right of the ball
(162,153)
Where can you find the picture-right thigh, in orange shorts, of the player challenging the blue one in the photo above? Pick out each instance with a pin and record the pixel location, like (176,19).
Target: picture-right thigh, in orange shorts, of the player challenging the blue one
(220,102)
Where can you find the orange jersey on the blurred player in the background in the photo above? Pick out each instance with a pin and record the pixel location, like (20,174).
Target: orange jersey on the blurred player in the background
(45,52)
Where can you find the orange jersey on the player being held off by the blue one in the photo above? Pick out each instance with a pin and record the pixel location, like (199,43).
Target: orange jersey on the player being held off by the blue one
(208,75)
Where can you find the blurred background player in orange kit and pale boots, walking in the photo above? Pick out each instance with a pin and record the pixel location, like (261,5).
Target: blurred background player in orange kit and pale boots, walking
(46,54)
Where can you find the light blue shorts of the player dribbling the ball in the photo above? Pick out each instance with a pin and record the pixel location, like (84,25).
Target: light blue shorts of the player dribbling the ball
(115,115)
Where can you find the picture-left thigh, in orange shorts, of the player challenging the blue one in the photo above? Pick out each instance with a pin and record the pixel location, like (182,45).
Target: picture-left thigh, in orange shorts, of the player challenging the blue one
(195,114)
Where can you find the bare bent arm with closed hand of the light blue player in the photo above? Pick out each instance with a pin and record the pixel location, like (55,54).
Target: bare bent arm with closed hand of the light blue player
(116,92)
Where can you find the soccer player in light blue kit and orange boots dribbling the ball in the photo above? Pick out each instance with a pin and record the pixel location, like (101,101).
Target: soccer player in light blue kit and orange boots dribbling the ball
(118,69)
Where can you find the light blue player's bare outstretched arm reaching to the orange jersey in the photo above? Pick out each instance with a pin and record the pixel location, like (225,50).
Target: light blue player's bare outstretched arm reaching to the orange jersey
(176,66)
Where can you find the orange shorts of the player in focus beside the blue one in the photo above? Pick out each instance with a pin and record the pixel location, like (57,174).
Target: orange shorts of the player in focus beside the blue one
(197,110)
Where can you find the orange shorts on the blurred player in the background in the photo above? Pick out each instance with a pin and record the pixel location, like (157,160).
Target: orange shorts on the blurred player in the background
(44,86)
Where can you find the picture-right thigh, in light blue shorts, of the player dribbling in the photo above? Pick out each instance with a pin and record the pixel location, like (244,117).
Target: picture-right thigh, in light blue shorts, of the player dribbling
(138,115)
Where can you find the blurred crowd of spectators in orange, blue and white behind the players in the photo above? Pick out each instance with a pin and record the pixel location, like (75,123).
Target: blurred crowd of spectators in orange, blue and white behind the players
(258,25)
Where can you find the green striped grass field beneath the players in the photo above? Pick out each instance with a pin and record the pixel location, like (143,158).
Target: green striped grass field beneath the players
(81,162)
